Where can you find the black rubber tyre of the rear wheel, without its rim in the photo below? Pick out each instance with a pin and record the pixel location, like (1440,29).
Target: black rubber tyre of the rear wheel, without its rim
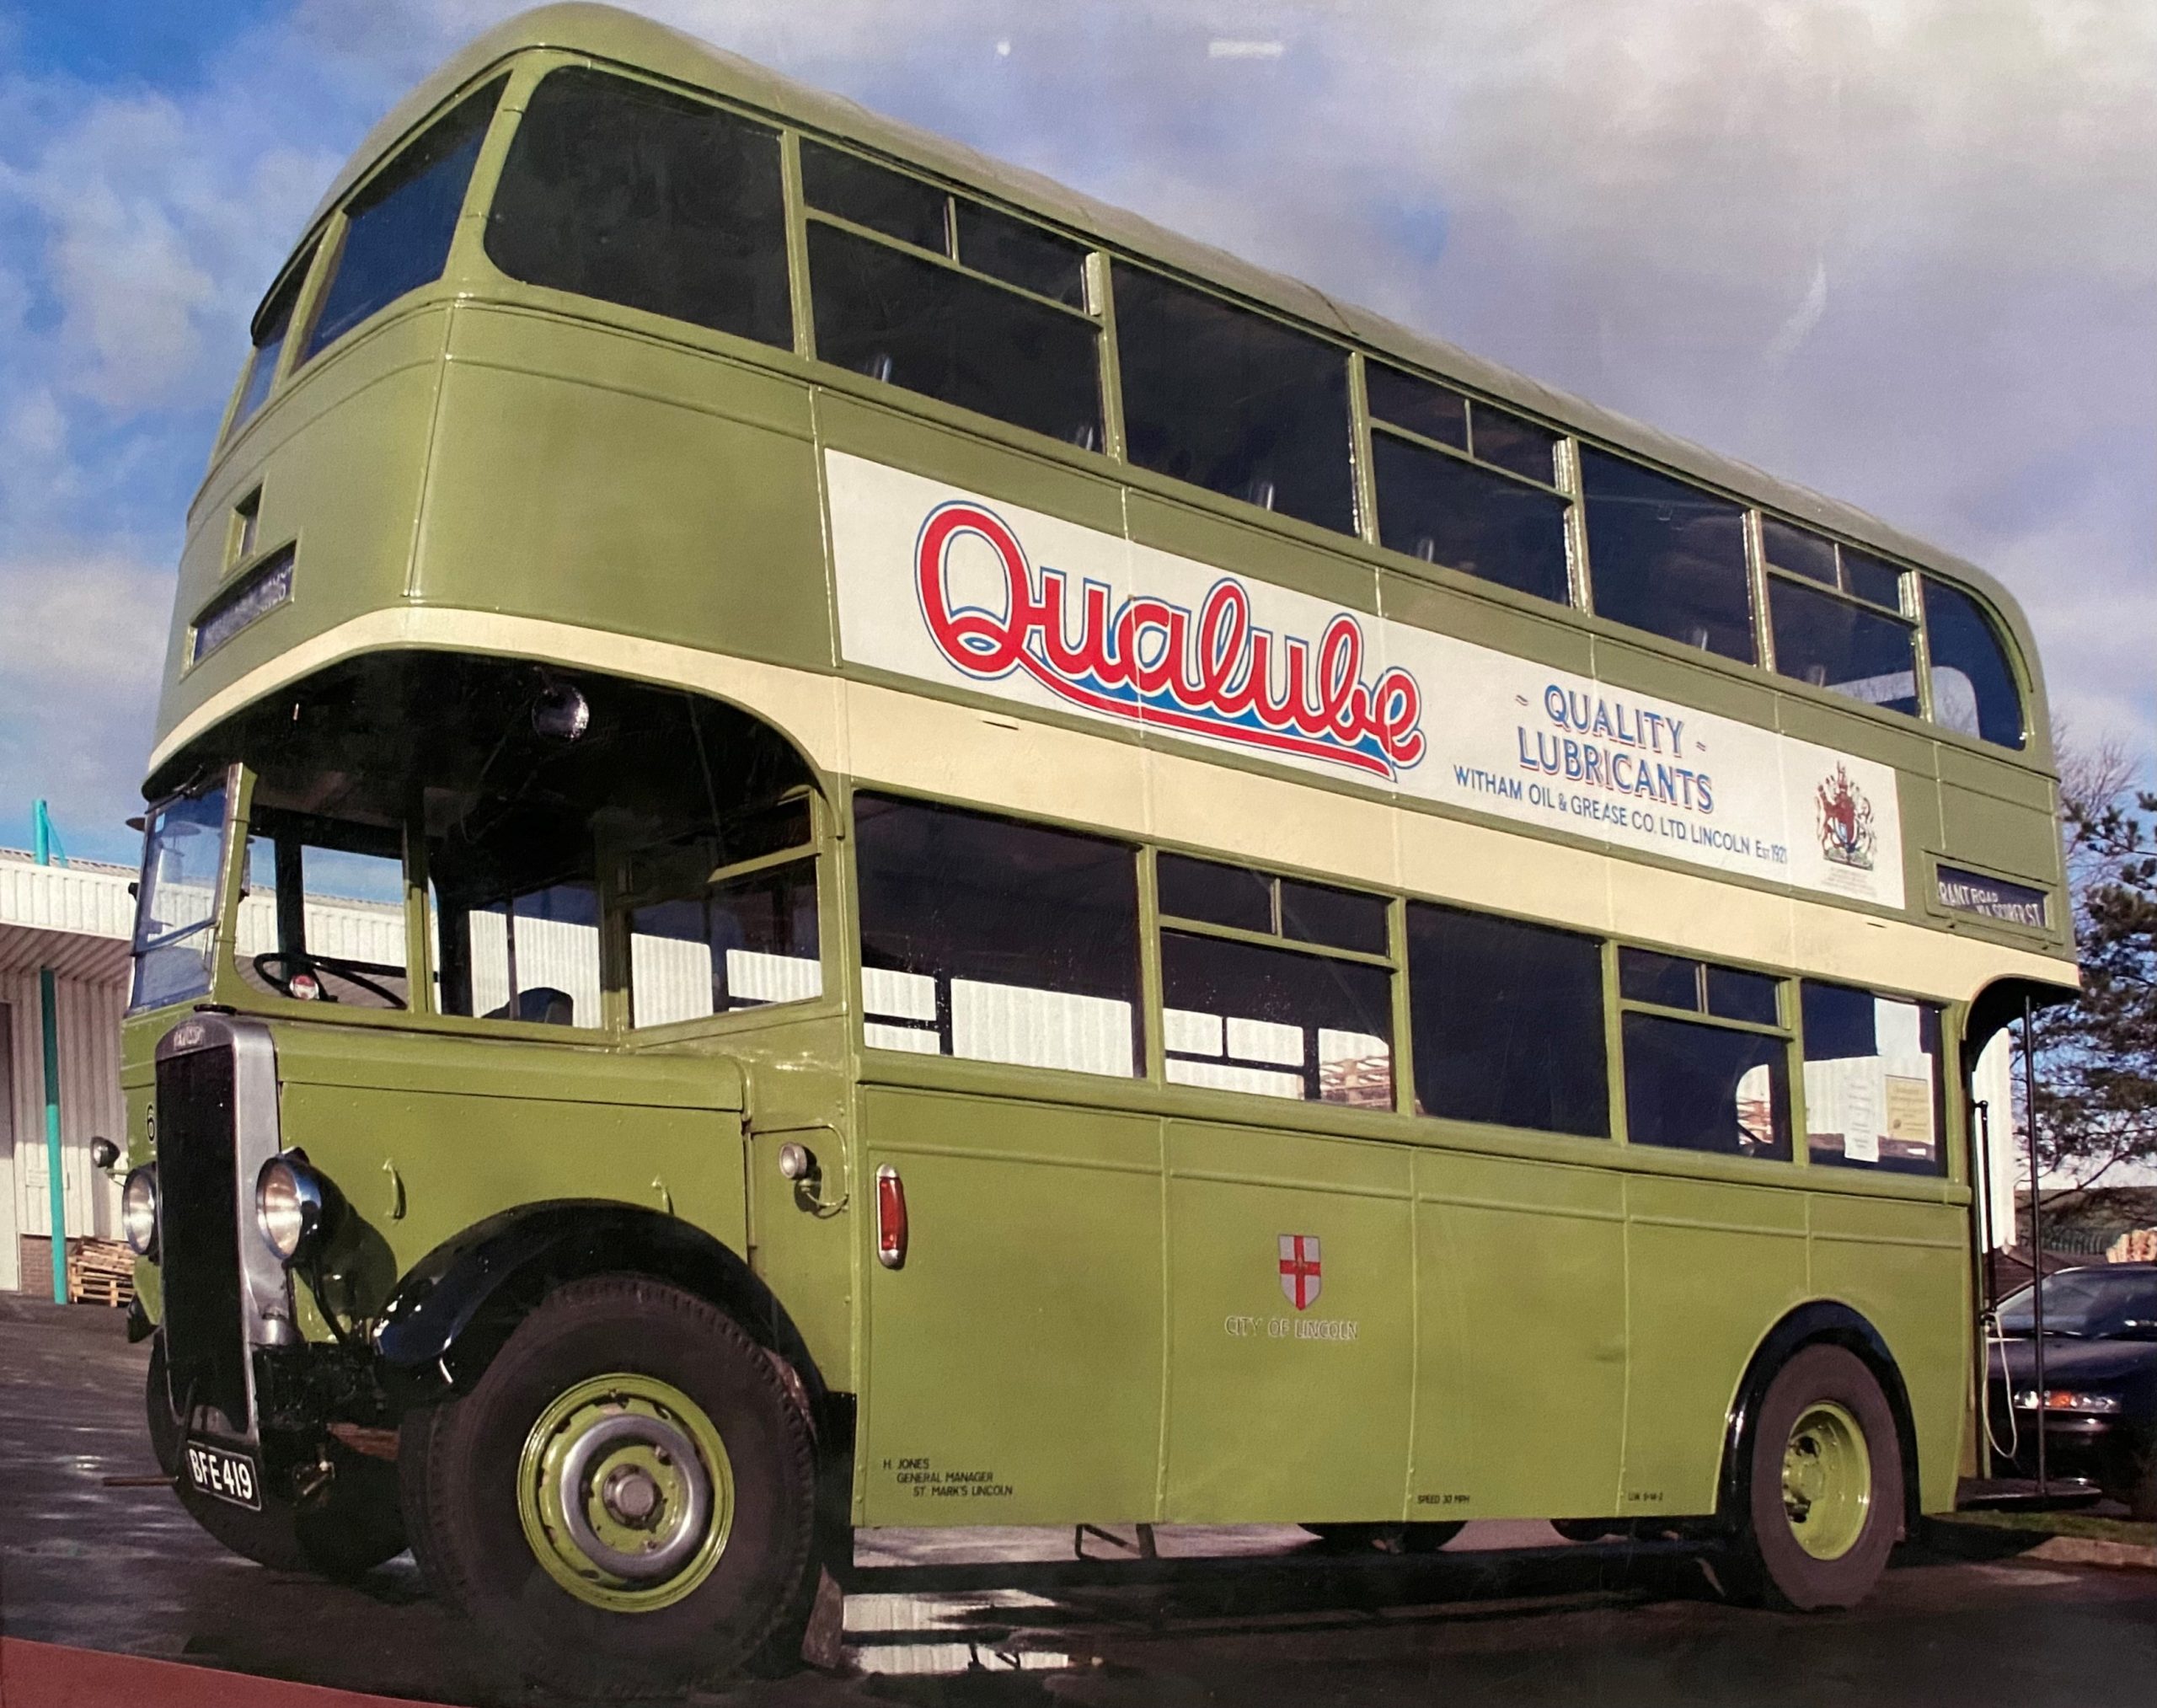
(1770,1562)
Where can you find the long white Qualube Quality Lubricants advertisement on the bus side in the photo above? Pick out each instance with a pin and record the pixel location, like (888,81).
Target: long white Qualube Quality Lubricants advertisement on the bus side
(965,592)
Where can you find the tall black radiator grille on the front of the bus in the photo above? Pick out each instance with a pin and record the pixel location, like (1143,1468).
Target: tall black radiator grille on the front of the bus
(200,1235)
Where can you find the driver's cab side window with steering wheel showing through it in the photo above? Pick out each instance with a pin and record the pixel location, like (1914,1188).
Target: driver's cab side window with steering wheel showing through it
(322,913)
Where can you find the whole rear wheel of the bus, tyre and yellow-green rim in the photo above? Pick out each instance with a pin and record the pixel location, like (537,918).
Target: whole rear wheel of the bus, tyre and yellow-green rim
(1826,1485)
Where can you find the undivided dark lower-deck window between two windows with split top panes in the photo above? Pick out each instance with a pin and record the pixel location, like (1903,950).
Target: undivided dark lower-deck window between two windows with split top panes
(1509,1023)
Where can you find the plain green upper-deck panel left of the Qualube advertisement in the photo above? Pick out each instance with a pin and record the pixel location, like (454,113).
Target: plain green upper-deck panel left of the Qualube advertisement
(693,510)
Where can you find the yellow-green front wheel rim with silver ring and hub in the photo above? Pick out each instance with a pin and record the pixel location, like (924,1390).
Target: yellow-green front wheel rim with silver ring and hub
(627,1493)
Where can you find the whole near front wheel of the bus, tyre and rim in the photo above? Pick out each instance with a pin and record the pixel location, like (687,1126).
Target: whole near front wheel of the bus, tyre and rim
(627,1498)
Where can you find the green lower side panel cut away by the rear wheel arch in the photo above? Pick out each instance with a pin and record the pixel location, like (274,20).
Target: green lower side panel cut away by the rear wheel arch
(1712,1269)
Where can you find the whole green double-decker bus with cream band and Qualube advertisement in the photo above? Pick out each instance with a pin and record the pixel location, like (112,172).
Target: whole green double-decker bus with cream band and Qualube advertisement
(840,840)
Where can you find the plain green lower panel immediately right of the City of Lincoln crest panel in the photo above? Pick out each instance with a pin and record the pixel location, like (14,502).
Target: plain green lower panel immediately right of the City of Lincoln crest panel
(1522,1349)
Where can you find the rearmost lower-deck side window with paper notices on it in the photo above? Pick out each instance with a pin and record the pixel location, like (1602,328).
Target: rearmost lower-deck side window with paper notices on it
(1876,1094)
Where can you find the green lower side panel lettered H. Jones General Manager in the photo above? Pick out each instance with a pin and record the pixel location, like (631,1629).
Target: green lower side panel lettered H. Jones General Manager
(1015,1360)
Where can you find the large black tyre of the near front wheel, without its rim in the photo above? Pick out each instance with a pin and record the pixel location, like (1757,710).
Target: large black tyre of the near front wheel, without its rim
(463,1468)
